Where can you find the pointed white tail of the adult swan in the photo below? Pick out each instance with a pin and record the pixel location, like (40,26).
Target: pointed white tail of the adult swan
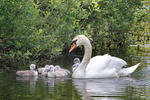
(128,71)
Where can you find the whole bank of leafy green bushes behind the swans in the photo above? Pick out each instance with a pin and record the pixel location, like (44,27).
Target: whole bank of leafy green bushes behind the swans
(33,31)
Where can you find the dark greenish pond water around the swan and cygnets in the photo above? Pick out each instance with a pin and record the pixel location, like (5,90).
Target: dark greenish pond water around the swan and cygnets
(135,87)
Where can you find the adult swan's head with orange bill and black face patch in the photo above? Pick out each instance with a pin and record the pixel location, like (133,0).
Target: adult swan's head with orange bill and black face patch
(77,41)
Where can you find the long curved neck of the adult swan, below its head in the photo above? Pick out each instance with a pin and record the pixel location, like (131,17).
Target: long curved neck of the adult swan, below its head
(80,71)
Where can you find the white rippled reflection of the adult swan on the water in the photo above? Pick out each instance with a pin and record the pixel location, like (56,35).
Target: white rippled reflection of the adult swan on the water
(102,89)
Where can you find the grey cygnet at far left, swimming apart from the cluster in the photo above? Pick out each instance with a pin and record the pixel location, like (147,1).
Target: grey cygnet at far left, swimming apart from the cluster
(32,72)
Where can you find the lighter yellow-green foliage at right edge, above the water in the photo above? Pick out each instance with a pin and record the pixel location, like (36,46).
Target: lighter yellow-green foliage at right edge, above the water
(141,25)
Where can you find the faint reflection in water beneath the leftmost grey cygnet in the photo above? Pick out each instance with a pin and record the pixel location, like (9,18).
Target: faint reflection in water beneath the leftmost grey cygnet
(31,80)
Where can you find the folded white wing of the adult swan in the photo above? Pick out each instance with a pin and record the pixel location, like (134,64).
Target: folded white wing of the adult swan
(106,62)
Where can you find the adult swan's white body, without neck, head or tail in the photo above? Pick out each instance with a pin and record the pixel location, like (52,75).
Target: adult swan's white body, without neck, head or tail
(104,66)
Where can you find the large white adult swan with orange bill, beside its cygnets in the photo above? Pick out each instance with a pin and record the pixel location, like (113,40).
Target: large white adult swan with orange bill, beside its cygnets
(104,66)
